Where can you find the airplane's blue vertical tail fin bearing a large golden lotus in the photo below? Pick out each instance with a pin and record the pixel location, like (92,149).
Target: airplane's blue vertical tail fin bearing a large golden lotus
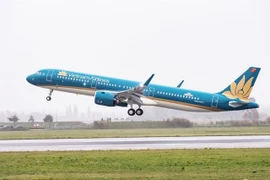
(242,86)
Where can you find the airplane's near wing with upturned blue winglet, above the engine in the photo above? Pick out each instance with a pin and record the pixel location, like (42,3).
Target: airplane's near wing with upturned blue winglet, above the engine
(133,95)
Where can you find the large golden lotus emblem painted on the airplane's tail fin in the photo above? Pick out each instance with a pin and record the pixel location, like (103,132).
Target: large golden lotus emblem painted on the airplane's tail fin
(241,90)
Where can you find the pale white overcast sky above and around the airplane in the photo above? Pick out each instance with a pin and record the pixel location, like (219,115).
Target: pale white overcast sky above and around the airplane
(206,43)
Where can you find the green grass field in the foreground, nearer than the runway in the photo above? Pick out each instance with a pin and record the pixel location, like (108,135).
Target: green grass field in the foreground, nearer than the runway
(203,164)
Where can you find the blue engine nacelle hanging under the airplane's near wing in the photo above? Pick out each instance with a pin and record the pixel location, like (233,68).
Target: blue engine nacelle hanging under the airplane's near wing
(107,99)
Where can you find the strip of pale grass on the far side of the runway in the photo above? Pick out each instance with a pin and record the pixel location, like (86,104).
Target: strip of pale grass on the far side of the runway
(98,133)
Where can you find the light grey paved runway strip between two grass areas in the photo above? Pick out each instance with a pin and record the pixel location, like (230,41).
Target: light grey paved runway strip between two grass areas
(136,143)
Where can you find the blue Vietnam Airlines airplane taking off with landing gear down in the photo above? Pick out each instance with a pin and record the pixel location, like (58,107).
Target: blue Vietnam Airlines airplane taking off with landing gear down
(108,91)
